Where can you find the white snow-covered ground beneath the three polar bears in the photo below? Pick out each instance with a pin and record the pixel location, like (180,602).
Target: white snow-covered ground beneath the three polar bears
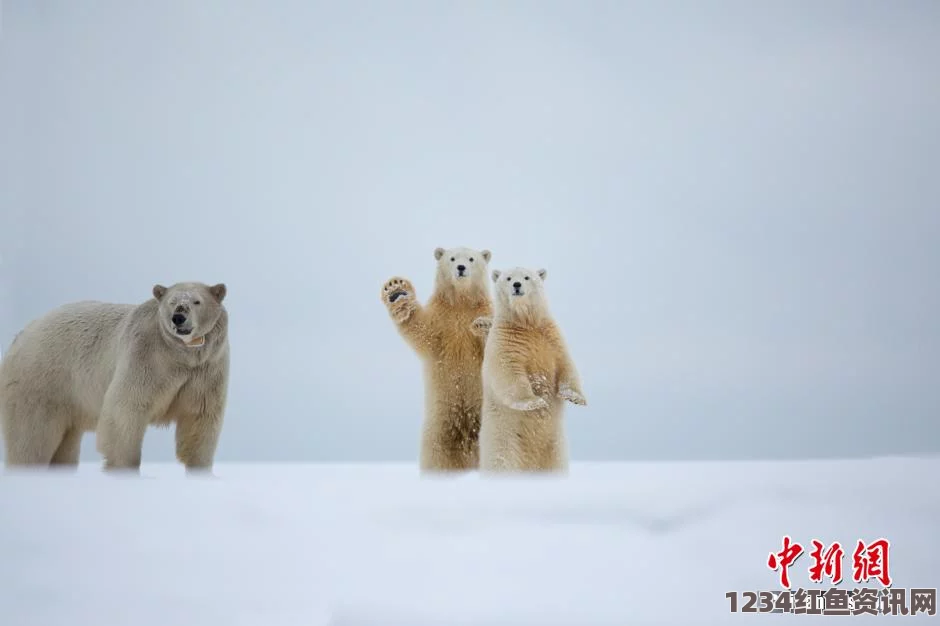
(314,545)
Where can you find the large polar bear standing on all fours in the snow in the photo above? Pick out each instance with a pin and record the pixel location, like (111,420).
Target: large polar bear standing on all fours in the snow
(116,369)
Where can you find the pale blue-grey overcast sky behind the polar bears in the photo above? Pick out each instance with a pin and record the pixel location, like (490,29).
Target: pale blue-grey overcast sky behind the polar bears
(738,204)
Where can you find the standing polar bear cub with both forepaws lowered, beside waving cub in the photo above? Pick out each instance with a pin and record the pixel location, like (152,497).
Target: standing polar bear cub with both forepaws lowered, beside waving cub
(527,375)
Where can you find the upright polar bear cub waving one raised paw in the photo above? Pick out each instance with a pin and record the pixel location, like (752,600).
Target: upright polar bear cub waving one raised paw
(441,334)
